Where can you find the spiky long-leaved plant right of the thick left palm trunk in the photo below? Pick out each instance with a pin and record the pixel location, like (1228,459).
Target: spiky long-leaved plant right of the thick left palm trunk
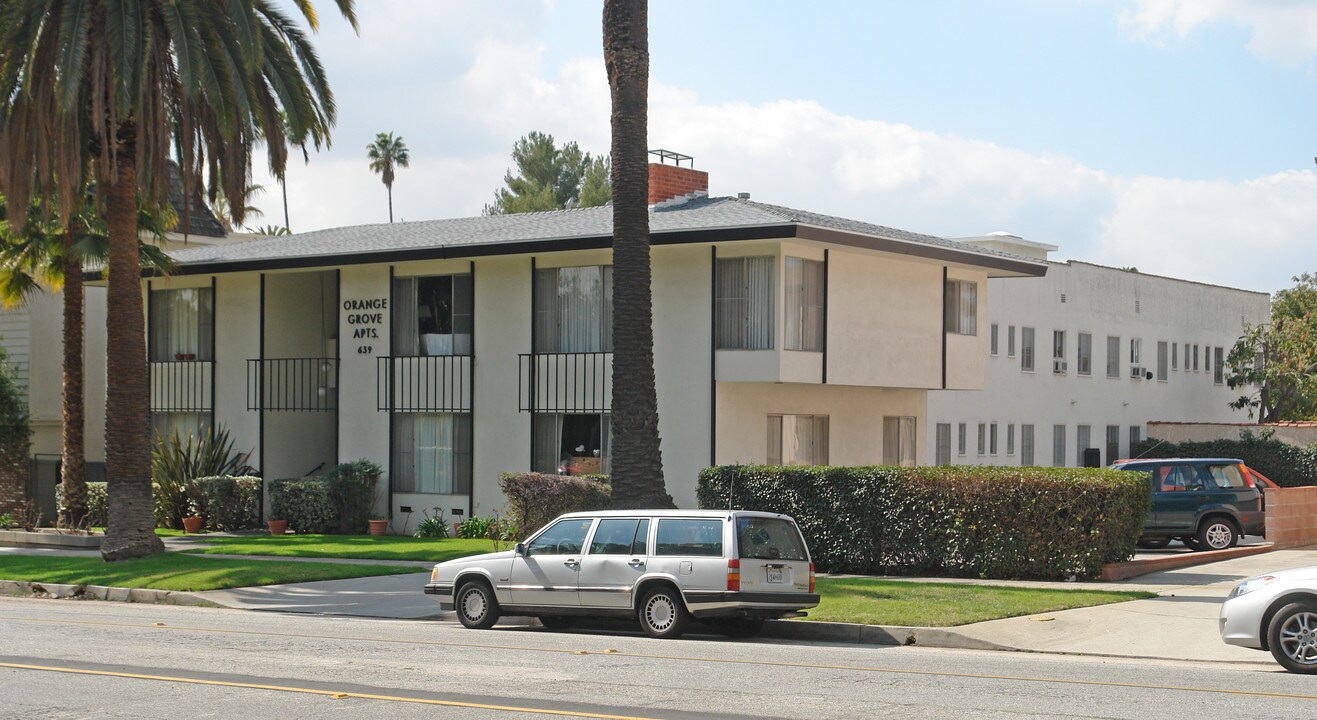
(176,464)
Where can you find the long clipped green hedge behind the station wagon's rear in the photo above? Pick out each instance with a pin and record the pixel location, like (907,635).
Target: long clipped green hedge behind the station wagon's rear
(1045,523)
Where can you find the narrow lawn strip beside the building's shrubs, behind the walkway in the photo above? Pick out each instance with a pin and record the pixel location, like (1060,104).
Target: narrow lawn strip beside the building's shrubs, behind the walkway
(362,547)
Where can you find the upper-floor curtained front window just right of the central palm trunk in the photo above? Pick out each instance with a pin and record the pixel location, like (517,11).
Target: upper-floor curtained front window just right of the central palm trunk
(745,302)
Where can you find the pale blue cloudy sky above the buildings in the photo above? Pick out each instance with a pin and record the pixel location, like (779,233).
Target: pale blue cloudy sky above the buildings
(1174,136)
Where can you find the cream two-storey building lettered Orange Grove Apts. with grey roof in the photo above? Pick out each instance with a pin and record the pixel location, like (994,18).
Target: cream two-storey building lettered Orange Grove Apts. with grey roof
(454,351)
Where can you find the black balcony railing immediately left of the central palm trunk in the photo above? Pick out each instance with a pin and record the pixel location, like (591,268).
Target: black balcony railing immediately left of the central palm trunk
(566,382)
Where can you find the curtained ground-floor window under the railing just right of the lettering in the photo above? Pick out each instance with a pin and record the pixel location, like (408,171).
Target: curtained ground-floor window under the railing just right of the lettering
(433,453)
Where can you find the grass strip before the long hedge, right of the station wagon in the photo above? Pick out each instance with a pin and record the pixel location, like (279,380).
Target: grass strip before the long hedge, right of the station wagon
(874,602)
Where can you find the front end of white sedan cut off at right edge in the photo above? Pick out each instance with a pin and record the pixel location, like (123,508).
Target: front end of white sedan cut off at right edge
(1276,613)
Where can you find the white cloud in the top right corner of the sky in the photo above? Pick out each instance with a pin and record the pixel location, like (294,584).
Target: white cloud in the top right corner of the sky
(1285,31)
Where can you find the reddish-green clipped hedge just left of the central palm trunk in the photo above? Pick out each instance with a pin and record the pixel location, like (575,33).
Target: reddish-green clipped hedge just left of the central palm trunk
(537,498)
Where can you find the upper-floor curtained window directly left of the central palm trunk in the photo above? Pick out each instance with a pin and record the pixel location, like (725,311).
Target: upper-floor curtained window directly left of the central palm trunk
(574,310)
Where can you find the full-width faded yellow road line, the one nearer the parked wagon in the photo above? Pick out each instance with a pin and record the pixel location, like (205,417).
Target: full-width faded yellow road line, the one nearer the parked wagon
(691,659)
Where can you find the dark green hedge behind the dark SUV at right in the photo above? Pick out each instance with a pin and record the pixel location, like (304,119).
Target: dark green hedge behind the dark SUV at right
(1286,465)
